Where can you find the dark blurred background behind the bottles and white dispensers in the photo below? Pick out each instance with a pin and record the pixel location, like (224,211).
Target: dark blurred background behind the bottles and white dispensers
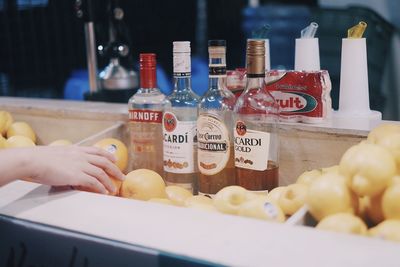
(43,49)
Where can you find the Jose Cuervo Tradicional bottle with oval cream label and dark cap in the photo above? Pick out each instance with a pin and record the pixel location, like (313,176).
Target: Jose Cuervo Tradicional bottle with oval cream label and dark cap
(214,126)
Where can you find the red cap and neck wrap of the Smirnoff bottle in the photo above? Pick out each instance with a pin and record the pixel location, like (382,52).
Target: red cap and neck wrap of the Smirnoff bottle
(148,77)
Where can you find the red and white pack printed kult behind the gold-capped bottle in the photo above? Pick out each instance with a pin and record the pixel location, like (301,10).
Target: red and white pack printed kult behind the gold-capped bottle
(303,96)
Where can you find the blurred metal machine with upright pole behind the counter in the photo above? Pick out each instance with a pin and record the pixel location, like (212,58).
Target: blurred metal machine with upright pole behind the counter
(115,83)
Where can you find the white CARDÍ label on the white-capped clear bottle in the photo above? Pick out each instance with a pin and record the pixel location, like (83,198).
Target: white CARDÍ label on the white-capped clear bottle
(179,141)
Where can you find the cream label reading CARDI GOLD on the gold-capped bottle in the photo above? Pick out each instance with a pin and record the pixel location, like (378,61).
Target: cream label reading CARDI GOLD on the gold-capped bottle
(251,148)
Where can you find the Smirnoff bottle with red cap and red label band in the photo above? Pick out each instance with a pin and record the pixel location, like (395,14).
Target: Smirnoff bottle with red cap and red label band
(145,119)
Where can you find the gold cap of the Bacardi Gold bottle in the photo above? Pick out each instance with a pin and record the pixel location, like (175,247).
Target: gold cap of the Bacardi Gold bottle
(255,58)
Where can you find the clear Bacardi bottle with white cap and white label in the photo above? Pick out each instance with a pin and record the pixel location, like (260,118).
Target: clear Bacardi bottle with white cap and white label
(180,124)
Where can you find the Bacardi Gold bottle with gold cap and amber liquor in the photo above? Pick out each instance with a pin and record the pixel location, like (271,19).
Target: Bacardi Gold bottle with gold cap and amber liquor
(255,130)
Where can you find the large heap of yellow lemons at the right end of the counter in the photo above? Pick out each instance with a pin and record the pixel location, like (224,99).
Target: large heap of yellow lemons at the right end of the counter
(361,195)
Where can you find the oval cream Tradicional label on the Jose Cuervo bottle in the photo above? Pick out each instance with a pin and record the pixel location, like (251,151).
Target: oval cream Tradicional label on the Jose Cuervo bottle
(213,147)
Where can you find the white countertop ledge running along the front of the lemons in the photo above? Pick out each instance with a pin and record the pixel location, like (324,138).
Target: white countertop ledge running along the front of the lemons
(213,237)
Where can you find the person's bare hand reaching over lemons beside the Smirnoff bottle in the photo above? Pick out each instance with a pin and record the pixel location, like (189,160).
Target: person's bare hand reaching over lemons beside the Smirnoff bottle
(85,168)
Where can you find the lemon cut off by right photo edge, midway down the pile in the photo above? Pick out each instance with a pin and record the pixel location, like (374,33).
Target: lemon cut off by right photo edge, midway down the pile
(391,202)
